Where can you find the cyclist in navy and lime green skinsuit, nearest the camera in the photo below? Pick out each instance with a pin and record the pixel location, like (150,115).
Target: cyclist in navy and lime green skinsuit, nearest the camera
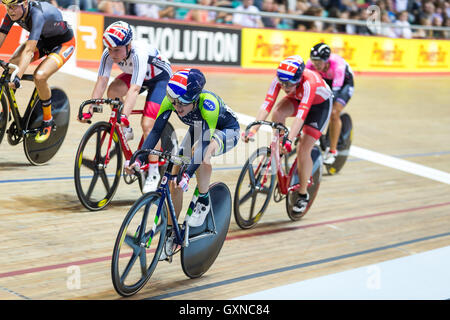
(213,129)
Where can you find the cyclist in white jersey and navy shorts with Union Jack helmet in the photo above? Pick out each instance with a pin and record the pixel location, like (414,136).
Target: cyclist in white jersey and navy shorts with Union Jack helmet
(143,68)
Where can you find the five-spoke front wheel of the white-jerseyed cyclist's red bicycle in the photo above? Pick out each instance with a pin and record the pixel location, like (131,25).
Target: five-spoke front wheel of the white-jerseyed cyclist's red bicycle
(95,182)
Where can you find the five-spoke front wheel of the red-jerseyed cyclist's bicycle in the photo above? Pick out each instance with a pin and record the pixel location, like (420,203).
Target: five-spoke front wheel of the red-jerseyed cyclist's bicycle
(256,179)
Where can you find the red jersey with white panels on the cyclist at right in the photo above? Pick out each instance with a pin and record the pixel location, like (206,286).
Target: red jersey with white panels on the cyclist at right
(311,90)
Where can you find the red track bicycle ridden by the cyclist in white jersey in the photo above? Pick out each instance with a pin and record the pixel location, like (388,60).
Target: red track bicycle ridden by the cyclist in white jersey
(99,158)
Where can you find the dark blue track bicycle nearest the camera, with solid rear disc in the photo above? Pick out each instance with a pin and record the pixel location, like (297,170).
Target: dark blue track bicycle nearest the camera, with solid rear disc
(143,233)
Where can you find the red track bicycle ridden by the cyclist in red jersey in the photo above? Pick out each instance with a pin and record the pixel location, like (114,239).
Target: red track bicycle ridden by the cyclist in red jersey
(265,173)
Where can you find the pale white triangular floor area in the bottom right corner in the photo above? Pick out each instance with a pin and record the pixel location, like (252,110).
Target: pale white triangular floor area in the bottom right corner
(413,277)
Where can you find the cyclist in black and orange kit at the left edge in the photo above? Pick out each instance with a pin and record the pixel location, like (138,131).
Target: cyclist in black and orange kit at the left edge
(50,36)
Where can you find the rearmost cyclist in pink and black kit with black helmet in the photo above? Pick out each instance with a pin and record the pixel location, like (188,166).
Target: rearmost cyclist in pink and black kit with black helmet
(339,76)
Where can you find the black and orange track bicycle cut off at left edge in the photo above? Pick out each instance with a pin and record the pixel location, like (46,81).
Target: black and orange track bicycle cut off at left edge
(25,128)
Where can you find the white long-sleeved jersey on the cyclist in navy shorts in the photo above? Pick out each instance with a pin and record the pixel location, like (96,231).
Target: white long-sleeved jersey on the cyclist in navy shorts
(144,62)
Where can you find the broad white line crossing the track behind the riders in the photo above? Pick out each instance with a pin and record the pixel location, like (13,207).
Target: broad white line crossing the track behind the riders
(355,151)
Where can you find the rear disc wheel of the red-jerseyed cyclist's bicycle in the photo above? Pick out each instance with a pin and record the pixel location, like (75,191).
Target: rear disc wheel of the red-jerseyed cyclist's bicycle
(313,186)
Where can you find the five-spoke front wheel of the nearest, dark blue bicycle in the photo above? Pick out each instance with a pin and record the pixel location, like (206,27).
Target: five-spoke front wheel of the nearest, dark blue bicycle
(138,245)
